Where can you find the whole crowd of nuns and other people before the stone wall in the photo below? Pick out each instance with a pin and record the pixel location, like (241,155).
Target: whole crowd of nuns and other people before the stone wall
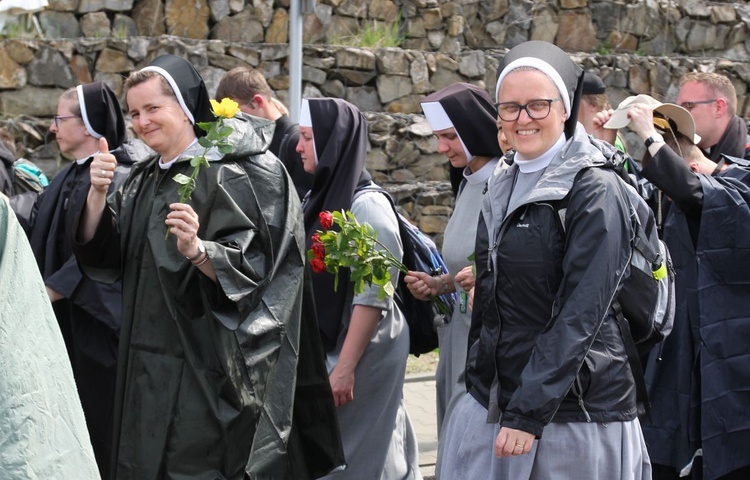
(201,344)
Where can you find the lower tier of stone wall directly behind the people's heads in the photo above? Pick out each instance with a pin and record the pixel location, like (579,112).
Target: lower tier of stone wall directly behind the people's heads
(387,84)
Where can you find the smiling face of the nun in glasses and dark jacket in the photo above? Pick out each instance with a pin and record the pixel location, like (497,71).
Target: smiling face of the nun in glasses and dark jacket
(531,138)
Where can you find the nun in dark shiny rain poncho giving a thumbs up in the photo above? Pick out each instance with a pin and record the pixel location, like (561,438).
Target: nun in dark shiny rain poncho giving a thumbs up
(210,345)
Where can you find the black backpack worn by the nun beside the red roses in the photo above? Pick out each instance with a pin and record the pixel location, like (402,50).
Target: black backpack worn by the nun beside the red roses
(420,254)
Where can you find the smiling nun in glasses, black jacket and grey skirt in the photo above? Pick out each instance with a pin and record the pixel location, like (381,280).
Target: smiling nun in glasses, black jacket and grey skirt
(550,391)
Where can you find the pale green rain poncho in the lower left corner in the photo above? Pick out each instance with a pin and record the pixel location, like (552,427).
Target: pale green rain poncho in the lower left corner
(42,429)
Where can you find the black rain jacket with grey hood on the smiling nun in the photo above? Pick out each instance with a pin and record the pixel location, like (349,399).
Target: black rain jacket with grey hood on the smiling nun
(542,330)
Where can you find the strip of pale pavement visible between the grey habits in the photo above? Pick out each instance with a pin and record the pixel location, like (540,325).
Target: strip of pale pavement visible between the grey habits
(419,395)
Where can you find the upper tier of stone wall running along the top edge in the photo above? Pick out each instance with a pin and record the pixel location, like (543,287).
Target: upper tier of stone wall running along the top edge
(651,27)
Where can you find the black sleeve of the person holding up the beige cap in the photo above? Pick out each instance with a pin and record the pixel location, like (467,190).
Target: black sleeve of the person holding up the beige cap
(671,174)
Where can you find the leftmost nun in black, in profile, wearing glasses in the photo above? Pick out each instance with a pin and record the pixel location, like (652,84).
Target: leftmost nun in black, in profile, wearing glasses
(88,312)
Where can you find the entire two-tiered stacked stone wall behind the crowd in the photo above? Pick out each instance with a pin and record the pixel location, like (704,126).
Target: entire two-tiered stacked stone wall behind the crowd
(446,42)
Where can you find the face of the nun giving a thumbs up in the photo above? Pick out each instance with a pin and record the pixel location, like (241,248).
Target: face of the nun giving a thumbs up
(158,119)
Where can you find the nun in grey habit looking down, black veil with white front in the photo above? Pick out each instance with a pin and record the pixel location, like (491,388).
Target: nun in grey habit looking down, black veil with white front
(462,119)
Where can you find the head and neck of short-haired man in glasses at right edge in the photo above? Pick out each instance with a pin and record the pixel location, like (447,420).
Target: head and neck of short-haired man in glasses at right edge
(712,101)
